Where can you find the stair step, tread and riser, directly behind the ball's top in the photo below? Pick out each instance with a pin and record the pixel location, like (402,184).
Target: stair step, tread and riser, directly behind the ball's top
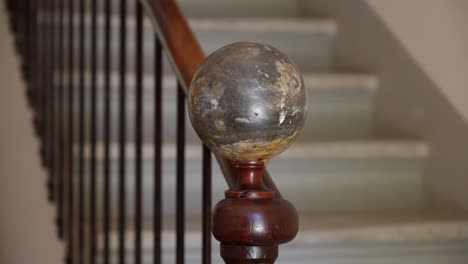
(310,48)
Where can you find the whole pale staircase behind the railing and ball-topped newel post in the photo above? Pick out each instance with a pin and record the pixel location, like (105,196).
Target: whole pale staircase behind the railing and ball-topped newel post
(360,197)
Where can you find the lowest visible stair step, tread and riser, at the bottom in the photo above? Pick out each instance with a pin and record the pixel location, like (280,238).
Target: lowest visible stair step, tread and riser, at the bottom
(342,237)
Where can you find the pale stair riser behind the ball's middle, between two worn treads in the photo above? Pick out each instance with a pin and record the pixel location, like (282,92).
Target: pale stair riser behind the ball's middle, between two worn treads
(332,113)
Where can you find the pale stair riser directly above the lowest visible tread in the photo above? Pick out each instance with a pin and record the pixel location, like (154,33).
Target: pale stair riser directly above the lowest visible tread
(311,185)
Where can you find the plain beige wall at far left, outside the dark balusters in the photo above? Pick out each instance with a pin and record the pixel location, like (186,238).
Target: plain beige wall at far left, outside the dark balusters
(27,229)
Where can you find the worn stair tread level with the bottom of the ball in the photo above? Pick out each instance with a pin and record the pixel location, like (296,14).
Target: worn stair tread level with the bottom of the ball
(305,150)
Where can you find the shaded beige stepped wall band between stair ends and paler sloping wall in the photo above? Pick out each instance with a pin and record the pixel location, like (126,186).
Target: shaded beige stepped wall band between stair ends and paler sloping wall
(409,104)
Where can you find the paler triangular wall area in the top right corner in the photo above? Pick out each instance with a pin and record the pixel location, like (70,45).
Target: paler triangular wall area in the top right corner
(435,34)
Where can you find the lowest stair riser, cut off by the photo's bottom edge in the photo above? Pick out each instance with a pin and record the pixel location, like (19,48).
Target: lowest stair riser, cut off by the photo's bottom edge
(403,253)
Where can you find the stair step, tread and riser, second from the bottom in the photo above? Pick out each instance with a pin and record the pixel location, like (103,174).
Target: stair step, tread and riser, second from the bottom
(324,176)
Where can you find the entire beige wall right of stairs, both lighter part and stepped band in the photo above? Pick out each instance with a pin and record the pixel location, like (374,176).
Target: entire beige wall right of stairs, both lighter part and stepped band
(410,103)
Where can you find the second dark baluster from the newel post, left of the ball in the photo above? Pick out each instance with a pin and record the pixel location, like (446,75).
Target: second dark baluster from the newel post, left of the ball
(180,177)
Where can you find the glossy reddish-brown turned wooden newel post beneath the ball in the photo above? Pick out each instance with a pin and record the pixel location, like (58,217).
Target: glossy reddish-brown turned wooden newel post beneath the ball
(251,222)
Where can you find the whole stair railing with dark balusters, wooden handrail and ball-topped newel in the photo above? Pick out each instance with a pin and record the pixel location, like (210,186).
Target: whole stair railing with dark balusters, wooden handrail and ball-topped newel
(253,219)
